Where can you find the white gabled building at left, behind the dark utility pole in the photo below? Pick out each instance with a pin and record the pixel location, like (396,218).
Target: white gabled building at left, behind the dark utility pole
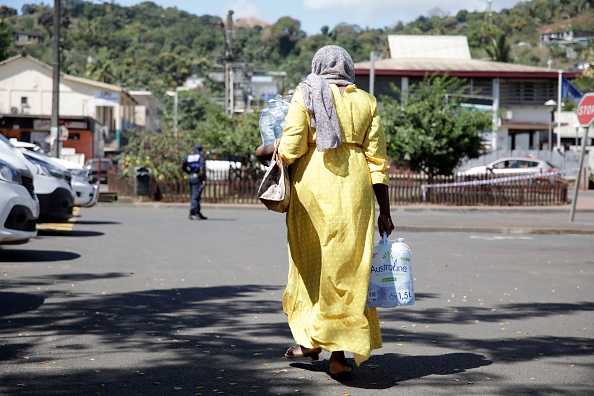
(26,87)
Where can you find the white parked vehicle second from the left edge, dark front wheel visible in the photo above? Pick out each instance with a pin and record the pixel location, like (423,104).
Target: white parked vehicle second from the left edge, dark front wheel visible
(52,186)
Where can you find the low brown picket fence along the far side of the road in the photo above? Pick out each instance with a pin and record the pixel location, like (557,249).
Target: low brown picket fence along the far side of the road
(405,189)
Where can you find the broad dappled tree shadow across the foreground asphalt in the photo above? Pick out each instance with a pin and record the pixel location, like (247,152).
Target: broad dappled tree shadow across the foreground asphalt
(222,340)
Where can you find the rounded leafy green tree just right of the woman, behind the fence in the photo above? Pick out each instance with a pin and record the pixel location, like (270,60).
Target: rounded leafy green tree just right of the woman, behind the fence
(431,129)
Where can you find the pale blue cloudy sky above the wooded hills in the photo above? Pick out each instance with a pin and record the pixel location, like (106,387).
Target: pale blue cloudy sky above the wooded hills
(314,14)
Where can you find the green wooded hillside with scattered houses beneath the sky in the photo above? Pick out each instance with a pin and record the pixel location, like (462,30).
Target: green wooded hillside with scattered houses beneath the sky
(150,47)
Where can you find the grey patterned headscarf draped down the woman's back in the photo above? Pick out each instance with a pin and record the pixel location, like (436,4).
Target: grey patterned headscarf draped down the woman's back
(330,65)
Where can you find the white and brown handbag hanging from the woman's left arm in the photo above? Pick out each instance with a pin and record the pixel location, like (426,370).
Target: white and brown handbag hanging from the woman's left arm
(275,189)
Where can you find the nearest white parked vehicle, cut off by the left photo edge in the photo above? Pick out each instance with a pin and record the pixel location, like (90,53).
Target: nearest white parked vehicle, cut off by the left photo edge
(19,206)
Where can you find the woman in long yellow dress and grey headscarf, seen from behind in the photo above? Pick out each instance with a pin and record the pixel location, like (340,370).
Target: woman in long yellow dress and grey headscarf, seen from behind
(335,146)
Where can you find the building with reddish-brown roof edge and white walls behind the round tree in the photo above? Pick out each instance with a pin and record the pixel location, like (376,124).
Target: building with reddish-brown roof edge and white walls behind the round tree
(516,94)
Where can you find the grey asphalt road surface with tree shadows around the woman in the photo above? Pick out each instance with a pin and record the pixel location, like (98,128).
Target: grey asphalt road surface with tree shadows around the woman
(138,300)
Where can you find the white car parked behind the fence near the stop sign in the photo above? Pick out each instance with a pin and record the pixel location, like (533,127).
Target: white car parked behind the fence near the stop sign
(512,165)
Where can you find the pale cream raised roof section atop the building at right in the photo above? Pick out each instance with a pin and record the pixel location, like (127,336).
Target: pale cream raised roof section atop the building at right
(422,47)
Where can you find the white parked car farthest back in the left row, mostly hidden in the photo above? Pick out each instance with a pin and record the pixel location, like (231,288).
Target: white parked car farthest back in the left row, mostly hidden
(86,194)
